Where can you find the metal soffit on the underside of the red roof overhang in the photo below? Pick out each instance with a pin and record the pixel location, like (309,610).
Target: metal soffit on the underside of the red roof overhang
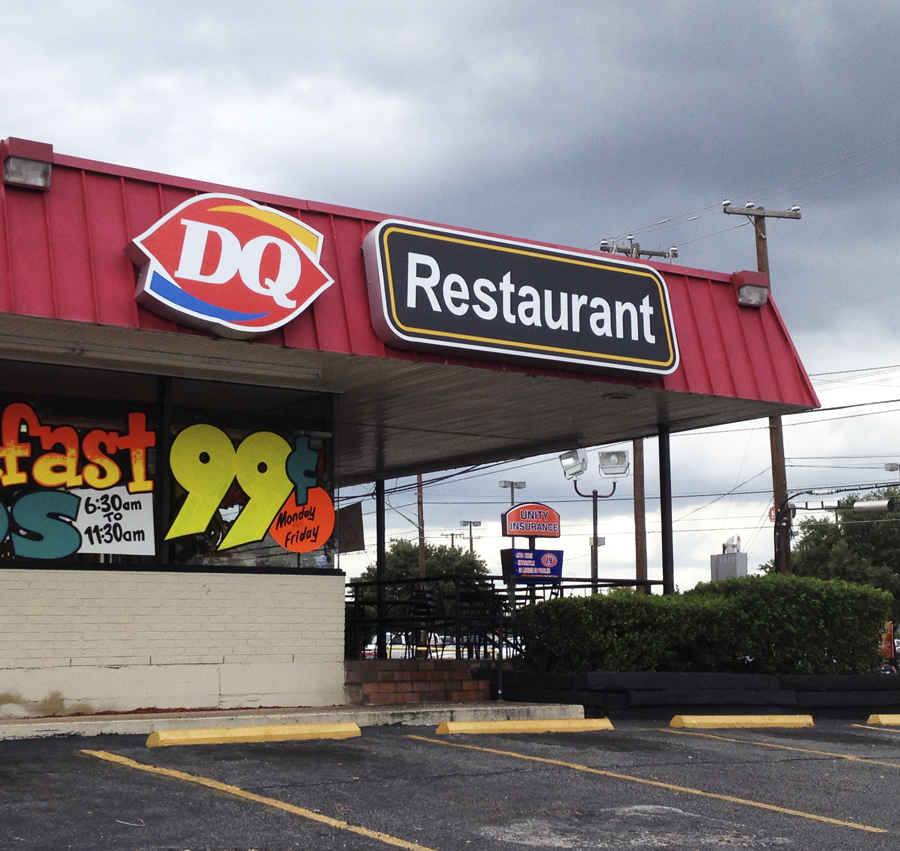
(398,417)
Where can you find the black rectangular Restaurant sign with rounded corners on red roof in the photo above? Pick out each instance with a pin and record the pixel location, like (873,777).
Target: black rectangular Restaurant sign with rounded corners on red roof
(433,288)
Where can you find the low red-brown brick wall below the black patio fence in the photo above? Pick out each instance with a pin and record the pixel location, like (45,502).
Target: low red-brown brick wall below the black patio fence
(386,681)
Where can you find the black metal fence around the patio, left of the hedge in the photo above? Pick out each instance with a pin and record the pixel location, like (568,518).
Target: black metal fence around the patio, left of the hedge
(453,617)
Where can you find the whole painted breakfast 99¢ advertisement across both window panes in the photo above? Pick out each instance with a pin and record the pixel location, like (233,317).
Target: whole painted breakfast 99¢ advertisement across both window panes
(68,491)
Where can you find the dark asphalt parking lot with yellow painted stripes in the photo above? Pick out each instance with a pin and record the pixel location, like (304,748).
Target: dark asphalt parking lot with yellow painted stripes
(642,785)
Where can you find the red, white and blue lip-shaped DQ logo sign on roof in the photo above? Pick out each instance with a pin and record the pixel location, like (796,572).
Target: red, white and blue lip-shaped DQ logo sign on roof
(229,266)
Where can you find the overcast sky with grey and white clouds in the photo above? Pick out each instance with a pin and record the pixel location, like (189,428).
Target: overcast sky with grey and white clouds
(565,122)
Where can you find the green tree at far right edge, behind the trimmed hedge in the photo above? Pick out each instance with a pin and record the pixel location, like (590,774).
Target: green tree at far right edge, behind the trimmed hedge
(860,548)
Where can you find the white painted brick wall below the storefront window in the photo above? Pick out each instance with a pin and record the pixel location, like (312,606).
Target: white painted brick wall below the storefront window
(129,640)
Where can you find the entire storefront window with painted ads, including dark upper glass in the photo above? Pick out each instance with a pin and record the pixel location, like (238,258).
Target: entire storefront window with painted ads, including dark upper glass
(104,467)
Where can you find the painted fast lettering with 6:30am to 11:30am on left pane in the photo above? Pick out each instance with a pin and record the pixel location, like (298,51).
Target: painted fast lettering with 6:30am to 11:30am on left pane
(67,491)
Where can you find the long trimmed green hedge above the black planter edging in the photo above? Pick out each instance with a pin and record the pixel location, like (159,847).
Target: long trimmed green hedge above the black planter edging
(766,624)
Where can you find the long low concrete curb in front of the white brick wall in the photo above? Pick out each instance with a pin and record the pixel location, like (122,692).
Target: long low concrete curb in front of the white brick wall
(413,715)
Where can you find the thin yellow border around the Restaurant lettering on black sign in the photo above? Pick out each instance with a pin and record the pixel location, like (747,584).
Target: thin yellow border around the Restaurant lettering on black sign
(528,253)
